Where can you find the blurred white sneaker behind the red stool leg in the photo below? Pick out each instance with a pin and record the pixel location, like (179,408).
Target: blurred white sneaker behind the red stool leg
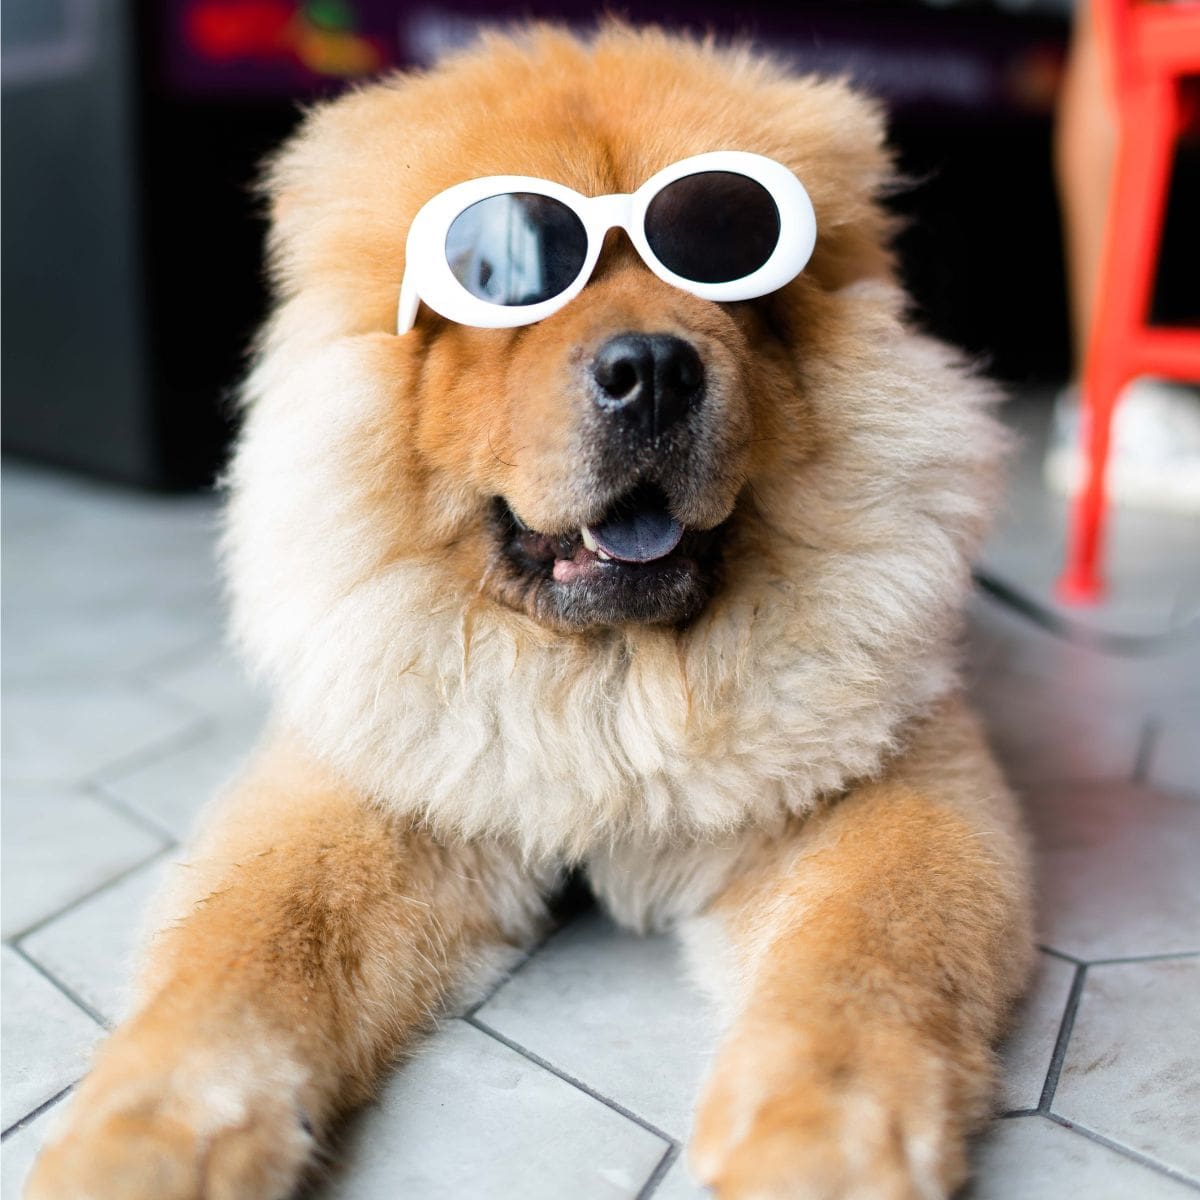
(1155,453)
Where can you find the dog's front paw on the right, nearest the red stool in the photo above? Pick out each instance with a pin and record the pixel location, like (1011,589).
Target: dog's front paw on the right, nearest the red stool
(879,1118)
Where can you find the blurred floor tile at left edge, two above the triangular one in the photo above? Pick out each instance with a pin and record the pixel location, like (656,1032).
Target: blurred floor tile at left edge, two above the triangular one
(67,731)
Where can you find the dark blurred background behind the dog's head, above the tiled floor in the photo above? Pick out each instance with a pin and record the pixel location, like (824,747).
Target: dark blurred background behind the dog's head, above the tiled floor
(133,131)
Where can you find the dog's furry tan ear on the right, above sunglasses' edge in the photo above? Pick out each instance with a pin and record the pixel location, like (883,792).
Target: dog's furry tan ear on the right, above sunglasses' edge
(837,143)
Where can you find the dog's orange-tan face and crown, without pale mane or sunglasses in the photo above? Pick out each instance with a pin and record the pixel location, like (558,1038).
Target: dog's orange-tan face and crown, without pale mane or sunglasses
(638,406)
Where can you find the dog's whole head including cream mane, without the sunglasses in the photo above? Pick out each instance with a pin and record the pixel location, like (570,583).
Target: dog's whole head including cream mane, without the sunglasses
(419,524)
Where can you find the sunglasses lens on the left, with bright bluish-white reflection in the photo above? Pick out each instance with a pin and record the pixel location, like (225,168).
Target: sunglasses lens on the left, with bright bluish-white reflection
(517,249)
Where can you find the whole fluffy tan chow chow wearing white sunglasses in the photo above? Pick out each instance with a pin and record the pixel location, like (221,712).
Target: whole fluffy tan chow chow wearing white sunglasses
(598,560)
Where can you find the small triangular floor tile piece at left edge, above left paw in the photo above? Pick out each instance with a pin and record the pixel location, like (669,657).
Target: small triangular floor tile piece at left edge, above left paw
(46,1040)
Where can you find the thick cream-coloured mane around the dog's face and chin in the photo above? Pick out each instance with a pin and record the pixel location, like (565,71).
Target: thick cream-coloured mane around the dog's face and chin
(835,628)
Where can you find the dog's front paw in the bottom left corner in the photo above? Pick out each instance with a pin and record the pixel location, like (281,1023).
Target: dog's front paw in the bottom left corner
(203,1127)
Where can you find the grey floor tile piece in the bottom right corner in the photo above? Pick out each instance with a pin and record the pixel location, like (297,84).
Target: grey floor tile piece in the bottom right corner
(1034,1159)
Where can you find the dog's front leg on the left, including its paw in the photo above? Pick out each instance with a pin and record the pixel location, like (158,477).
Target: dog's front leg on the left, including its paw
(315,937)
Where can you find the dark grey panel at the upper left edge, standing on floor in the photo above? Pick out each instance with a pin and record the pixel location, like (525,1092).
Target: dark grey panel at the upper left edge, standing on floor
(75,374)
